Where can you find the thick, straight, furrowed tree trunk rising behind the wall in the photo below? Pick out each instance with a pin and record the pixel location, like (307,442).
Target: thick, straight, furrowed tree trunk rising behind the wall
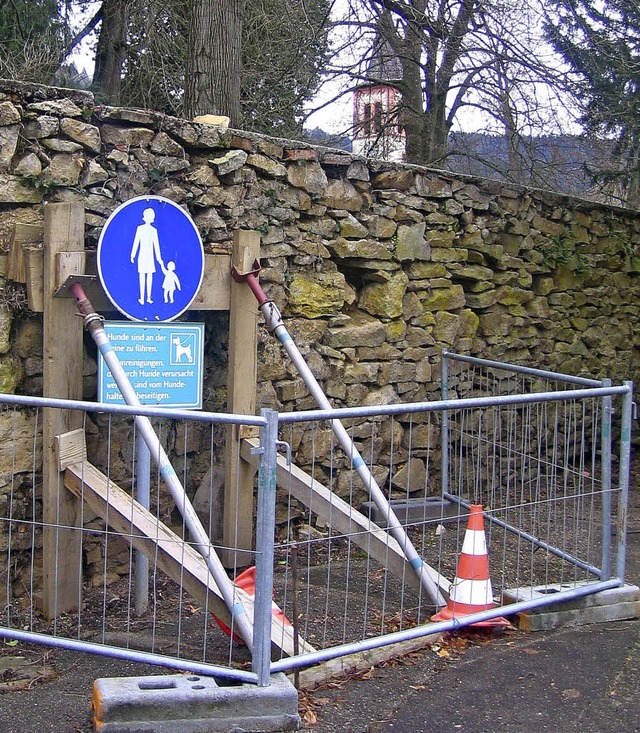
(212,83)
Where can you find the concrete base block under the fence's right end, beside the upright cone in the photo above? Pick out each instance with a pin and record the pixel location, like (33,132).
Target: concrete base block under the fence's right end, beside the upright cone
(614,604)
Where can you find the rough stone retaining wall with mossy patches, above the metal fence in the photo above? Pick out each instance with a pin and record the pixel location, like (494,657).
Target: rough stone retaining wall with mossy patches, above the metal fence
(377,267)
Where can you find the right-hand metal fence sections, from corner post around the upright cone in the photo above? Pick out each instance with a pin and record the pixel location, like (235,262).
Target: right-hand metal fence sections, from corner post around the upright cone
(533,448)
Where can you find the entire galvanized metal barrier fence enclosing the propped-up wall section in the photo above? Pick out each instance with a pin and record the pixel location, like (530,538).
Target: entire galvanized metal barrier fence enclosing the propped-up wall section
(533,448)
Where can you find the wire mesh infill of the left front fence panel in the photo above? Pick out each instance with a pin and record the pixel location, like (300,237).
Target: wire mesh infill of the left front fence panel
(177,616)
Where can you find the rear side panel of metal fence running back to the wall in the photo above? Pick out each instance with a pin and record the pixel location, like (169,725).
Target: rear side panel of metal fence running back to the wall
(541,450)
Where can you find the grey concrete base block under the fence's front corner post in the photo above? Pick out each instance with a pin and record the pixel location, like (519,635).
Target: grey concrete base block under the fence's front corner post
(193,704)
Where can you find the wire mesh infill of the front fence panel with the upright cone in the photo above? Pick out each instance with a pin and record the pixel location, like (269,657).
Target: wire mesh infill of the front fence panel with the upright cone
(535,469)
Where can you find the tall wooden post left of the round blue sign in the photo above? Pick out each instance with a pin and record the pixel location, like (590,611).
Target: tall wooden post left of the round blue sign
(62,377)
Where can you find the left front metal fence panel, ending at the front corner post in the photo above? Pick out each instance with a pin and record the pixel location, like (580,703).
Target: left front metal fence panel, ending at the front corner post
(169,619)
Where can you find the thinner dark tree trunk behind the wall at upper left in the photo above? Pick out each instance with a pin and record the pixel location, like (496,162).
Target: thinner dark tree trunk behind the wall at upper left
(111,50)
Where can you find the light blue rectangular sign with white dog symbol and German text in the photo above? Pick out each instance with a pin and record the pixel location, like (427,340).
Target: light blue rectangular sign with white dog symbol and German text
(164,363)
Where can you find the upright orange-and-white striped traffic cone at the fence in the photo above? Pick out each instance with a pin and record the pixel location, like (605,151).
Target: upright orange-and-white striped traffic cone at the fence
(471,590)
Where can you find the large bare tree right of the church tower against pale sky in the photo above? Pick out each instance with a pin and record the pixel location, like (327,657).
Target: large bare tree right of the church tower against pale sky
(460,59)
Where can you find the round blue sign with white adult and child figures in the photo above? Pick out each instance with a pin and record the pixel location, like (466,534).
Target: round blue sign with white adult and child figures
(150,259)
